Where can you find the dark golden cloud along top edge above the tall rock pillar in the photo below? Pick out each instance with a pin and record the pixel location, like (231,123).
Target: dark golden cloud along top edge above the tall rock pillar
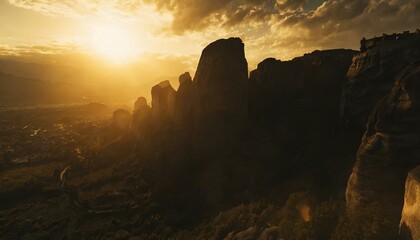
(199,14)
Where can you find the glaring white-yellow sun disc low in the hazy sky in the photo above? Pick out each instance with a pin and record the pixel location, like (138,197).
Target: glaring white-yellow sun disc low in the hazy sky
(113,43)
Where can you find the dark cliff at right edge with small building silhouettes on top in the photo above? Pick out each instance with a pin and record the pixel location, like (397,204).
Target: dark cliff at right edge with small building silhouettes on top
(372,73)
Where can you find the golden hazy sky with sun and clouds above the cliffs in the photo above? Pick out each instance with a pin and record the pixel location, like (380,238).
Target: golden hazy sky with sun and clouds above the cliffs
(175,31)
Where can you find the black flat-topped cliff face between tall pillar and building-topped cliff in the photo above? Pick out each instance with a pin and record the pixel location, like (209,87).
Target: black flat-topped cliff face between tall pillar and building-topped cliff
(299,100)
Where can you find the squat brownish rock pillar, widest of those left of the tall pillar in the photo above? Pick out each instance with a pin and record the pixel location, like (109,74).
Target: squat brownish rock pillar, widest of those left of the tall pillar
(163,101)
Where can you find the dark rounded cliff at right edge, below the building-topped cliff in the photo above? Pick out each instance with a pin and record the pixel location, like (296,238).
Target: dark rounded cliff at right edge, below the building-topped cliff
(389,148)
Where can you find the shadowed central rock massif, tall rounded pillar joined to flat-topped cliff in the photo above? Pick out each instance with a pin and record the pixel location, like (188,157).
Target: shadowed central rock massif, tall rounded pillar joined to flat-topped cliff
(209,139)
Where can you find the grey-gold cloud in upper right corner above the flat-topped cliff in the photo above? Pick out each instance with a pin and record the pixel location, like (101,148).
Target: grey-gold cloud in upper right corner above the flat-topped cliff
(344,22)
